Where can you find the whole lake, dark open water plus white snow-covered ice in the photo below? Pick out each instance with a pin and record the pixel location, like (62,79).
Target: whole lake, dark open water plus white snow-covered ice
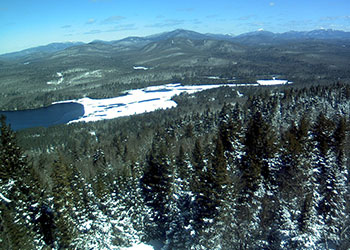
(132,102)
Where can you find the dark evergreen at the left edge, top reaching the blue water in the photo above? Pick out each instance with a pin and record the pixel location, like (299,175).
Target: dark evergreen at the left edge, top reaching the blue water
(20,185)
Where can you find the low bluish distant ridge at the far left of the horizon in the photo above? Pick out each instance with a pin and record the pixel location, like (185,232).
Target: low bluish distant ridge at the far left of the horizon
(41,50)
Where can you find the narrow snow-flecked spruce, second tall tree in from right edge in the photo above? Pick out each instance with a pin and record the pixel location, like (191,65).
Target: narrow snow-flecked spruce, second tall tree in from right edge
(321,181)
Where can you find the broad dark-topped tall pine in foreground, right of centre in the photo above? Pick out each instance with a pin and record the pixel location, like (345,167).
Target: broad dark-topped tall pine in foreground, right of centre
(258,176)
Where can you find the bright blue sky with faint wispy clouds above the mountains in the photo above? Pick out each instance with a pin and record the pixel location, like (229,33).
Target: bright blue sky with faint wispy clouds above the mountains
(29,23)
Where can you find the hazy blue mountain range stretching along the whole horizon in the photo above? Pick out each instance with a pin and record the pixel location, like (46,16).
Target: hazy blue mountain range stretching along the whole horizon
(251,38)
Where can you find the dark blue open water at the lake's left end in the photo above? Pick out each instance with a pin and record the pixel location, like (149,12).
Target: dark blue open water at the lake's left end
(55,114)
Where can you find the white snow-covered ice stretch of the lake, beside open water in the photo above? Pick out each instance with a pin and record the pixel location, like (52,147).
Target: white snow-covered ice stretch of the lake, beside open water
(139,101)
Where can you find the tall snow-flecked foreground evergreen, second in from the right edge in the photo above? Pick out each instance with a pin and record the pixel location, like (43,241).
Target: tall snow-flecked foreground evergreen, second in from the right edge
(322,187)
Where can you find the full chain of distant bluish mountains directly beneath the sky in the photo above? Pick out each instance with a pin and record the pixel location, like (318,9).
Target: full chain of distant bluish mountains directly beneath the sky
(188,37)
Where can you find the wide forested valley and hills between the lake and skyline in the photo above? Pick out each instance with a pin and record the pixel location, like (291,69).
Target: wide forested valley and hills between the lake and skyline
(104,69)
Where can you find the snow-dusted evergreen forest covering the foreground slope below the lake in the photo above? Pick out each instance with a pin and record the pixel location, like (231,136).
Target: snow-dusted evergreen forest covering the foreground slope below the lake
(267,168)
